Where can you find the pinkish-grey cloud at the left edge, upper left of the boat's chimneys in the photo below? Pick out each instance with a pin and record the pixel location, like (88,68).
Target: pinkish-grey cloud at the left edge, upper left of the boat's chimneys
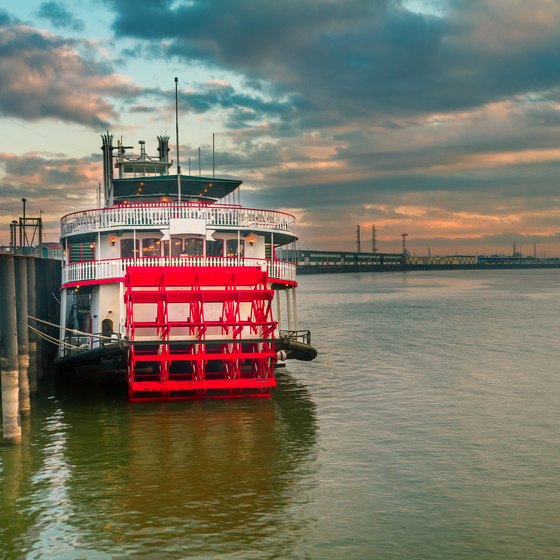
(44,76)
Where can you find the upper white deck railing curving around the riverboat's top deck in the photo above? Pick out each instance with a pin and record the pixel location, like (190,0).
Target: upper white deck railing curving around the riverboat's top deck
(159,214)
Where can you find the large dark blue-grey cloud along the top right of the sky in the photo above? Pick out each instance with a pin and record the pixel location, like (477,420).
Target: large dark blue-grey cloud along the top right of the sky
(359,59)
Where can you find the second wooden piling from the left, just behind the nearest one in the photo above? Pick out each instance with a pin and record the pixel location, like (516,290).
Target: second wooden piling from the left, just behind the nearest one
(20,268)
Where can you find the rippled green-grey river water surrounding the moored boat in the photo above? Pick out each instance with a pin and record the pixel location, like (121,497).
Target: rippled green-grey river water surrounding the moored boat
(428,427)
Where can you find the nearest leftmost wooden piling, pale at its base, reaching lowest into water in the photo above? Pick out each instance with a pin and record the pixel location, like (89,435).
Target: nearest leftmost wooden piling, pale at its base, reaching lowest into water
(11,426)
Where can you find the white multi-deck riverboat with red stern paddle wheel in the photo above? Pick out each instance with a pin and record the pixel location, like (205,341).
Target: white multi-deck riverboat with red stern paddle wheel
(174,285)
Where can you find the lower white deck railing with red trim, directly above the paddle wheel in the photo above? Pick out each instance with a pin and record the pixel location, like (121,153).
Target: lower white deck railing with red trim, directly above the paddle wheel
(116,268)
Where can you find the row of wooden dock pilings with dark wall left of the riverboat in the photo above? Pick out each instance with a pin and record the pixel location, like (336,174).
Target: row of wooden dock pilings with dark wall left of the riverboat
(29,287)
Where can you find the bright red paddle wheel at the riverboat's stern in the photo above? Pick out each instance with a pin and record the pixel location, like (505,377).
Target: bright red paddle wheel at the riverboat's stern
(200,332)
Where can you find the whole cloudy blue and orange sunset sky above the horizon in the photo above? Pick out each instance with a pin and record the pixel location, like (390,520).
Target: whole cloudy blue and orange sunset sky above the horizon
(436,118)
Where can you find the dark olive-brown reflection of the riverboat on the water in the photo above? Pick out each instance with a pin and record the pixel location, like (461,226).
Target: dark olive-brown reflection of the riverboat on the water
(104,478)
